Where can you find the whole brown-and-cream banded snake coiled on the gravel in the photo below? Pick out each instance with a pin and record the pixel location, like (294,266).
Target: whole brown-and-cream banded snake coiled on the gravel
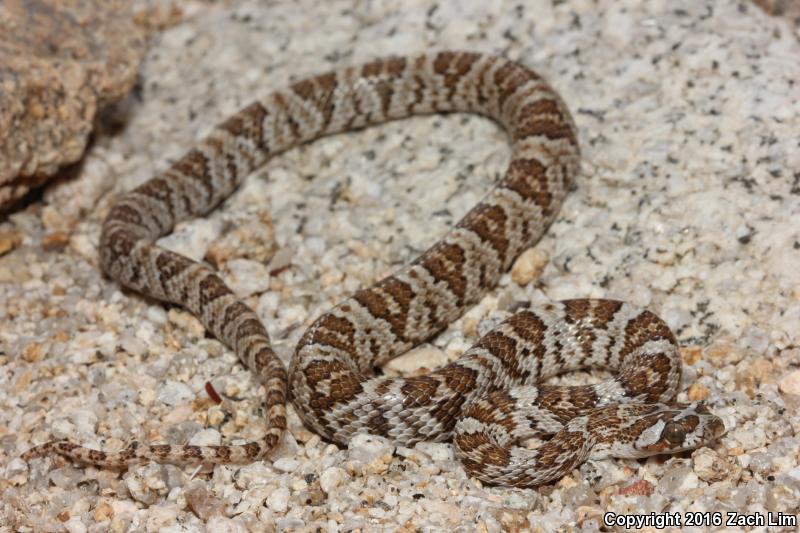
(494,399)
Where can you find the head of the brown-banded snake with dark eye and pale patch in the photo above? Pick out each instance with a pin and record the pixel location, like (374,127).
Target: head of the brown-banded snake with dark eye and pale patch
(677,427)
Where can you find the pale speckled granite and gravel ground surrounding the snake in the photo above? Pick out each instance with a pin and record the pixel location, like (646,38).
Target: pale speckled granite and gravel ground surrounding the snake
(688,203)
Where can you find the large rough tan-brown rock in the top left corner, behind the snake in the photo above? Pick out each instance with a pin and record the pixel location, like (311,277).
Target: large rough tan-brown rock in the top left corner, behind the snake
(62,60)
